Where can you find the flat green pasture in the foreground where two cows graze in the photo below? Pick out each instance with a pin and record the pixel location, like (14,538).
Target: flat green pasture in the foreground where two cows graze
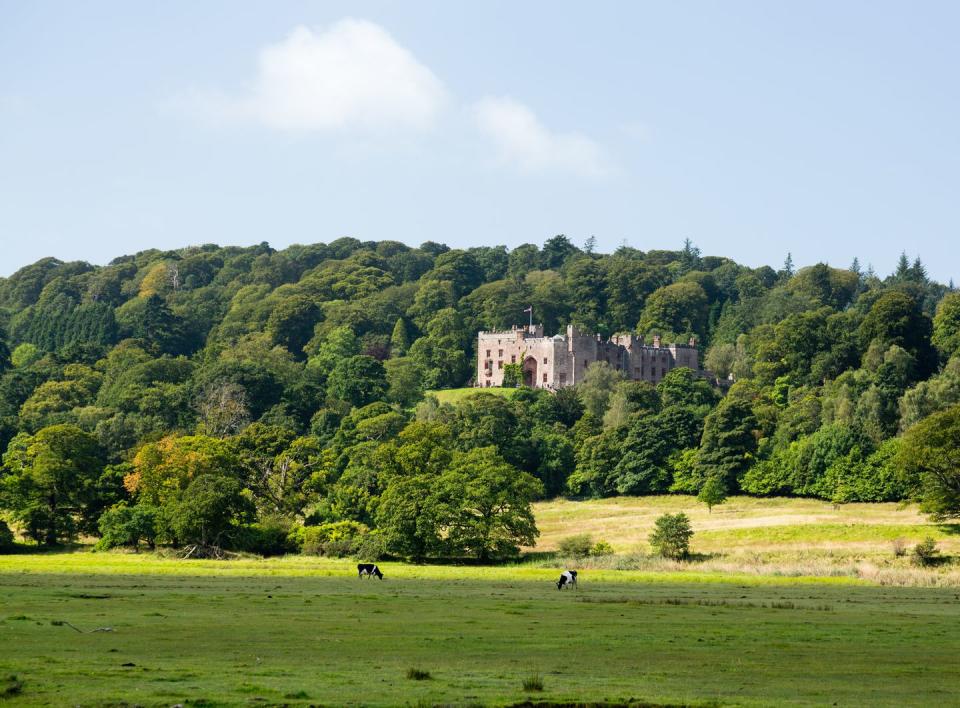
(304,631)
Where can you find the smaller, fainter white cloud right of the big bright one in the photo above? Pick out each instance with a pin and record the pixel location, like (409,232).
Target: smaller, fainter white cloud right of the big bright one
(524,142)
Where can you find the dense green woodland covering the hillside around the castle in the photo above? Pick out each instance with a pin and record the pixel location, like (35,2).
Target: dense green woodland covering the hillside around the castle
(274,401)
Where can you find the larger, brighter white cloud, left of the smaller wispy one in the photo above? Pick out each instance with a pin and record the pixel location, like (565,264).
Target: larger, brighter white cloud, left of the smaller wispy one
(352,75)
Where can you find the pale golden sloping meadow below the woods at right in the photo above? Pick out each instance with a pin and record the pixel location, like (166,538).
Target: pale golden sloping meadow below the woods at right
(763,536)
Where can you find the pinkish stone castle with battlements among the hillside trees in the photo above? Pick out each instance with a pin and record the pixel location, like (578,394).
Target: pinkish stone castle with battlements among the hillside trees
(558,361)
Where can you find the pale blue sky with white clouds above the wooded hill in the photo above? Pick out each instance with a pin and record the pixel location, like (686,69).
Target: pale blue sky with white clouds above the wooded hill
(826,129)
